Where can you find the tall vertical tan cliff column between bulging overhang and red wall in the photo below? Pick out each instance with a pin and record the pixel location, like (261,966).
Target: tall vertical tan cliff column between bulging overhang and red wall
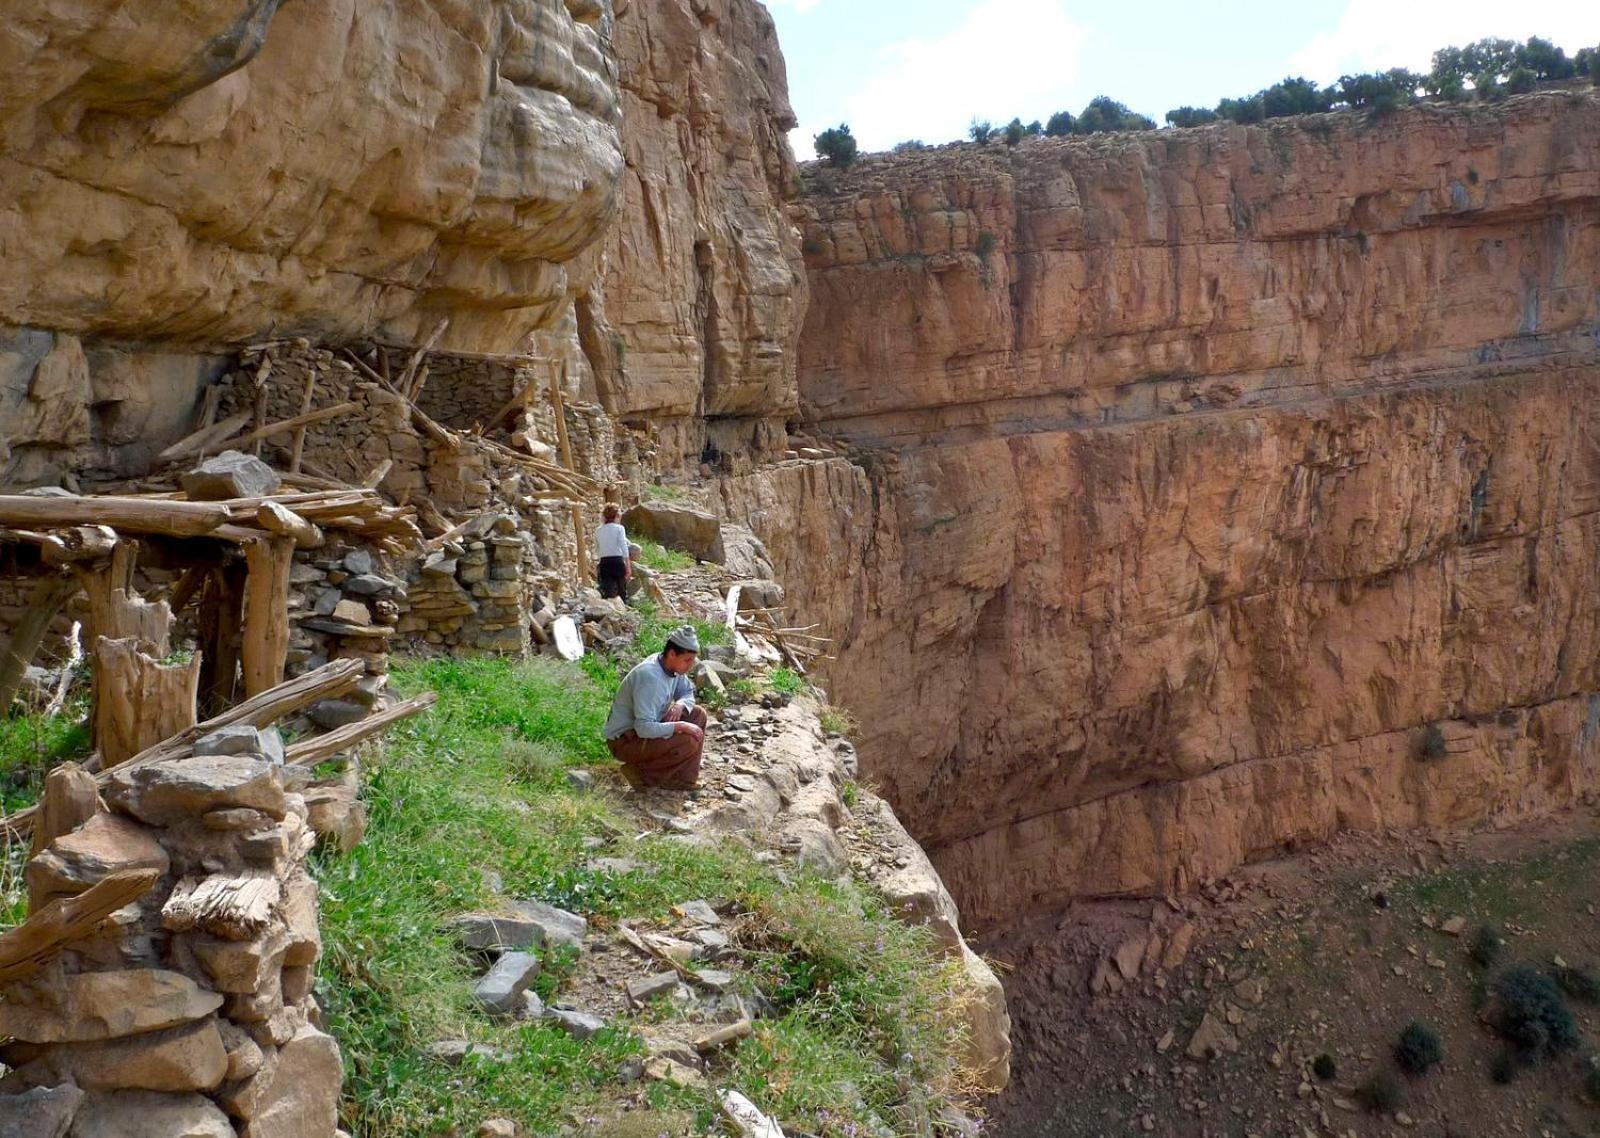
(697,311)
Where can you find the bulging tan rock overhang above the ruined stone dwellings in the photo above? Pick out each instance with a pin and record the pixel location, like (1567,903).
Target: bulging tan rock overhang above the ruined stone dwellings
(206,174)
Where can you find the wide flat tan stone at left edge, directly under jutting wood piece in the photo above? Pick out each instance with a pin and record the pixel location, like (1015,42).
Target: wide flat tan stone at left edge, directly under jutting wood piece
(98,1006)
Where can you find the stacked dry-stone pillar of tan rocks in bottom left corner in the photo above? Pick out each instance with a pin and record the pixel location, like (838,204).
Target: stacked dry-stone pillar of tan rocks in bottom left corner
(191,1012)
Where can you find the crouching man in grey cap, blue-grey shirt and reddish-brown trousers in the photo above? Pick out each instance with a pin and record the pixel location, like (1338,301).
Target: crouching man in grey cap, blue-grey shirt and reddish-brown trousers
(655,729)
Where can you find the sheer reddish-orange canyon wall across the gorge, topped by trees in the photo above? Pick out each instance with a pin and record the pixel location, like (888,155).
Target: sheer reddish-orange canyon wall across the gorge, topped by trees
(1223,479)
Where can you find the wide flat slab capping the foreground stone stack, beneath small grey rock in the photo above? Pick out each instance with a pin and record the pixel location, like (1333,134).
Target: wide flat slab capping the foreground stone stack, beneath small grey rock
(178,790)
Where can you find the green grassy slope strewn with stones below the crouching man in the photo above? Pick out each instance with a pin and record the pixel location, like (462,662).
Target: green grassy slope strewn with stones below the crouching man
(478,788)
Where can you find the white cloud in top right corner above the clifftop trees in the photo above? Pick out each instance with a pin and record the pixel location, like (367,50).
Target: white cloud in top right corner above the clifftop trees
(1380,34)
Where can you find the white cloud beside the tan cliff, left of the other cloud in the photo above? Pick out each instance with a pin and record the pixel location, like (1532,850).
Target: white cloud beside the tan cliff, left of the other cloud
(1007,58)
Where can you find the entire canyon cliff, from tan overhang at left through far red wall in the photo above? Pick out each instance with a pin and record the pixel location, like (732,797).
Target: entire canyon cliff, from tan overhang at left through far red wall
(1185,484)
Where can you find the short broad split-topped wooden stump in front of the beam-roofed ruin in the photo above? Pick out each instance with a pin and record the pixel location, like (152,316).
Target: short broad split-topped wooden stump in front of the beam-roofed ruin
(140,700)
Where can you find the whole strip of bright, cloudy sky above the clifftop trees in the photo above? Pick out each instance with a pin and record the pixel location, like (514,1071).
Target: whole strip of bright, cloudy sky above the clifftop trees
(924,70)
